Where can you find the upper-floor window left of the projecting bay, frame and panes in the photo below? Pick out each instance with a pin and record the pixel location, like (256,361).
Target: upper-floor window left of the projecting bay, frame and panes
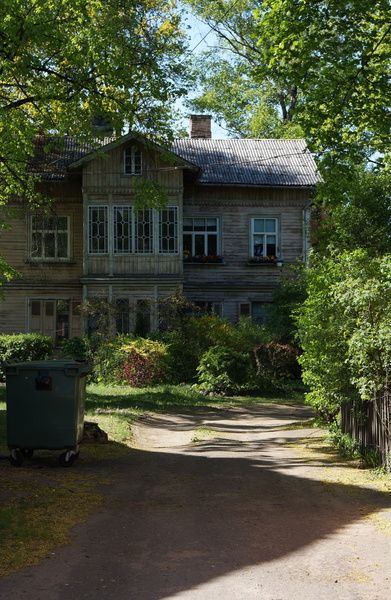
(49,238)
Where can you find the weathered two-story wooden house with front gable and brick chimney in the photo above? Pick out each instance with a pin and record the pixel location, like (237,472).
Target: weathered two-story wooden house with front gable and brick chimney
(236,212)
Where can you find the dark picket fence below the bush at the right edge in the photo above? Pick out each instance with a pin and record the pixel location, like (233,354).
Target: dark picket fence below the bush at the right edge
(370,425)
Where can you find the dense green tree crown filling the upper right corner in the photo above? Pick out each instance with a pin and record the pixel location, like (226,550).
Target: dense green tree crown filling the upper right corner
(337,55)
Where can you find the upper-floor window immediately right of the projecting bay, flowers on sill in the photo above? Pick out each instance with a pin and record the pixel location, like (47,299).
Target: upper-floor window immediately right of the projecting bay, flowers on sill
(201,235)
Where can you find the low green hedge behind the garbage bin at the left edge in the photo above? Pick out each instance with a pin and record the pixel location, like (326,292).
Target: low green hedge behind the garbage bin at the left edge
(25,346)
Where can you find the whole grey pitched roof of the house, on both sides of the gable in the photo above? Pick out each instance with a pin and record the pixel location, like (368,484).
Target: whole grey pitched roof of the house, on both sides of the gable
(267,162)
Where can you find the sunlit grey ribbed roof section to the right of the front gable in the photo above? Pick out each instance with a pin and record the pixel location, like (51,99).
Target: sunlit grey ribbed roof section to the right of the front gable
(267,162)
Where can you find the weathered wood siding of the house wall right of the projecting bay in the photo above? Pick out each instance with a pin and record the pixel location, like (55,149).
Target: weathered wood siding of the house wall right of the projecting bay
(236,281)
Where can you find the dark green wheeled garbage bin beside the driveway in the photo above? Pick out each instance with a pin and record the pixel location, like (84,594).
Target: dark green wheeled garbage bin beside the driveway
(45,407)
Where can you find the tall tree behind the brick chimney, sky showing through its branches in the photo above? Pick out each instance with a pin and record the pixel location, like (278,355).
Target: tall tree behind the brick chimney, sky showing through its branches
(247,107)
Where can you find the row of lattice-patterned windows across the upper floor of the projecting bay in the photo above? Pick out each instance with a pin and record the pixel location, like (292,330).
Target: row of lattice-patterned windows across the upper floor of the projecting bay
(144,232)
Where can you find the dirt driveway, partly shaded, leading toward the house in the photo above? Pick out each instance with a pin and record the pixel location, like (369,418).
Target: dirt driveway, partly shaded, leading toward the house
(221,504)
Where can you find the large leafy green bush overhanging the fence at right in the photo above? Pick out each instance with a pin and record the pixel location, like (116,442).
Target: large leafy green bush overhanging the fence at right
(345,328)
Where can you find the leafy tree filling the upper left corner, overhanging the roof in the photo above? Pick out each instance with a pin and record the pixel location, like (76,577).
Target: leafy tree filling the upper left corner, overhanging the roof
(64,63)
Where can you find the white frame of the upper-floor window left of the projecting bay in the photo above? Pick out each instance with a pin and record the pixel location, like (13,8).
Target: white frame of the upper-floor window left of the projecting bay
(55,231)
